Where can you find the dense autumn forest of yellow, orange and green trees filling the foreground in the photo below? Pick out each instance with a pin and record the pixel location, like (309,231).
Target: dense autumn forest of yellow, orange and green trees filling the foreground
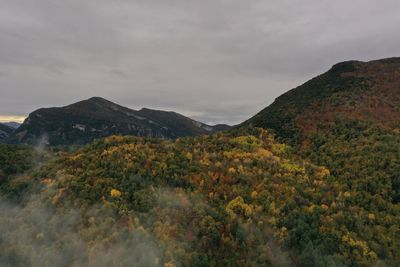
(226,199)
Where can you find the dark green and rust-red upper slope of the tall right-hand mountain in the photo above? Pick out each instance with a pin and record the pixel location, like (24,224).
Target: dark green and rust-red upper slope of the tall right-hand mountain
(367,92)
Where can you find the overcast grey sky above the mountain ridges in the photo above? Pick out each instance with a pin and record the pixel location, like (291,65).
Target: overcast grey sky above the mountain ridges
(217,61)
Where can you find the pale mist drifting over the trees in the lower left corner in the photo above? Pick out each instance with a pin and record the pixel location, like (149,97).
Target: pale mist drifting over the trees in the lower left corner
(38,235)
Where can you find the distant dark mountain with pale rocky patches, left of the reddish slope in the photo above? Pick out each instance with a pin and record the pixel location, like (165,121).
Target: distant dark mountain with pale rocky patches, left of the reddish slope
(81,122)
